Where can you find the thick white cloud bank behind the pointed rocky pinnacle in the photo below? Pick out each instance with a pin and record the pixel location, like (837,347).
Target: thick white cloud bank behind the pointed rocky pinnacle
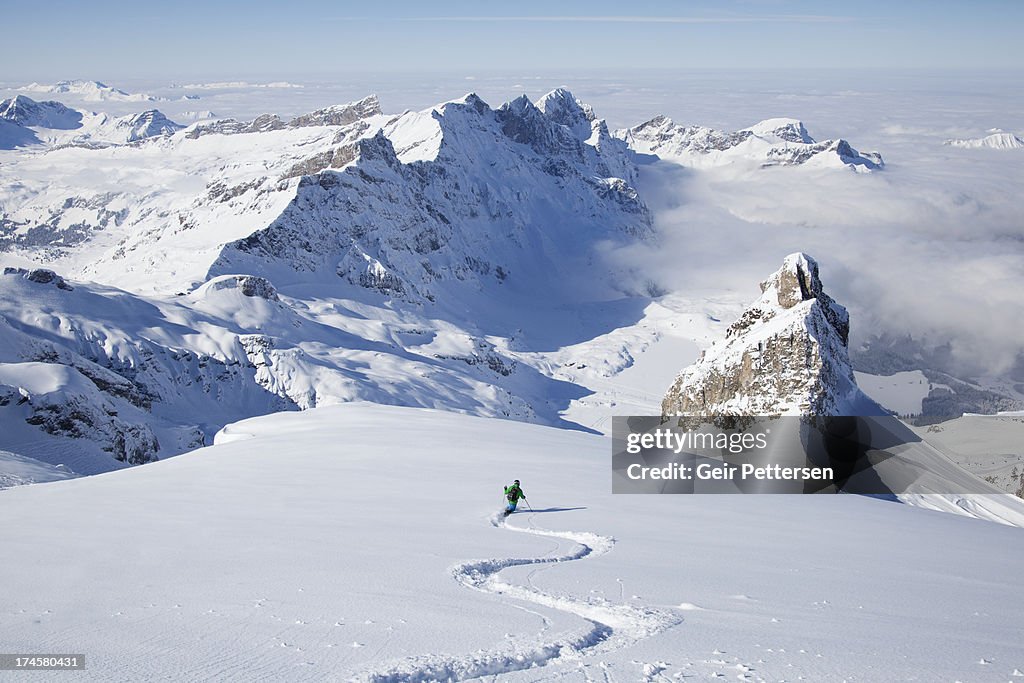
(935,251)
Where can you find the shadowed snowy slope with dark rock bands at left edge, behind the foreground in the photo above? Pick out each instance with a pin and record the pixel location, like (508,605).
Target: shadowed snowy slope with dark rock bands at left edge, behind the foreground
(96,379)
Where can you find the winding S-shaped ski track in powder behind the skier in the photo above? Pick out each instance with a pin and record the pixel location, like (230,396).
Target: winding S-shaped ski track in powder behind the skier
(611,626)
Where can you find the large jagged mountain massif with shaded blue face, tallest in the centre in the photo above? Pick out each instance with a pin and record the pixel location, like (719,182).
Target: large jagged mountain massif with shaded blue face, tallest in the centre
(448,196)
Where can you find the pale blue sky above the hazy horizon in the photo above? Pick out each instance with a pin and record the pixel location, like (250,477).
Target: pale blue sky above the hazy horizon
(73,39)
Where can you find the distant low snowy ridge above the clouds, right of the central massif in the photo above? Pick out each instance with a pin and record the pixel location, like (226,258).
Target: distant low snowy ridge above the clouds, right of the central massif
(771,143)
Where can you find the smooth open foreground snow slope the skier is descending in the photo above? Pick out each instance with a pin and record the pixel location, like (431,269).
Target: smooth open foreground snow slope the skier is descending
(372,550)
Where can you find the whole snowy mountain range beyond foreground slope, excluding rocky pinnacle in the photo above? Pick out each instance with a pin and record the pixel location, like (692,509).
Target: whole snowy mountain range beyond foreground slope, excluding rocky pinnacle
(457,258)
